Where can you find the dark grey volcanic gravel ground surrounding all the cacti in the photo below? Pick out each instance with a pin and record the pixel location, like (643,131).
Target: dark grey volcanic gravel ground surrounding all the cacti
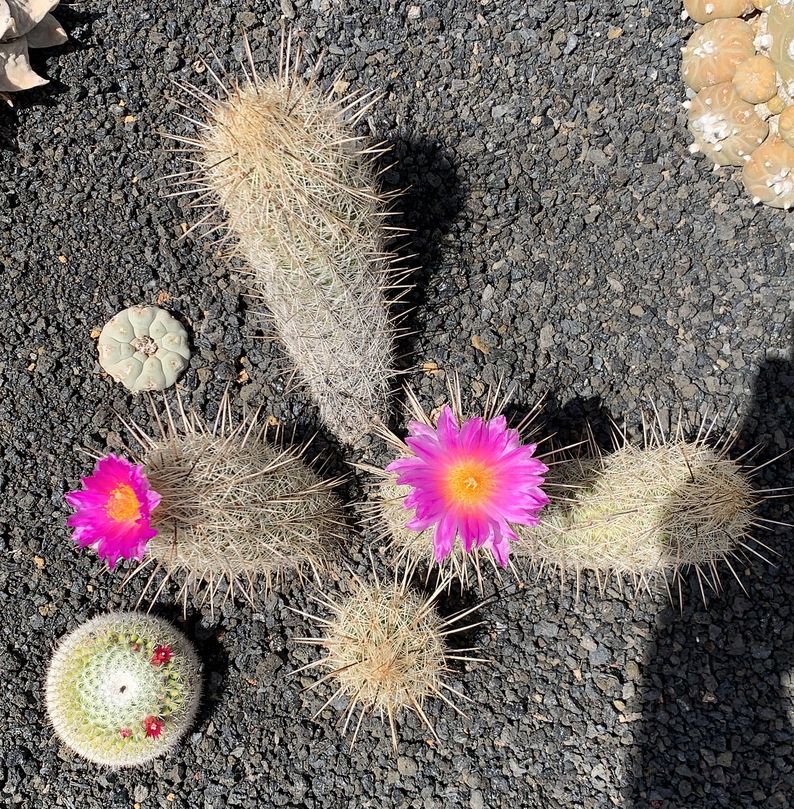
(568,243)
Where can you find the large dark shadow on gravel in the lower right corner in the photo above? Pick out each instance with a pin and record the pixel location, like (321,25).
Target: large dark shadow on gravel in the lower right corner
(717,725)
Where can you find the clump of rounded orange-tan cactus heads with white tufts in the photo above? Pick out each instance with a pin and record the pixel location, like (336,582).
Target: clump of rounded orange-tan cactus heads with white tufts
(739,72)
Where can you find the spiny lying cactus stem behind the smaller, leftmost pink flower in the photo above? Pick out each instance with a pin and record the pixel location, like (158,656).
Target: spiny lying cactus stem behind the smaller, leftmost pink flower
(234,507)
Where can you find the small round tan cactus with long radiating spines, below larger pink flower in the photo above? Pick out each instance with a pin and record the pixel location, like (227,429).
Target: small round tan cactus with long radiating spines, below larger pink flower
(386,651)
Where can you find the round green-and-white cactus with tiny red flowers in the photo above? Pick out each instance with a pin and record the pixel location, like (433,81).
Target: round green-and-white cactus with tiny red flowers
(123,688)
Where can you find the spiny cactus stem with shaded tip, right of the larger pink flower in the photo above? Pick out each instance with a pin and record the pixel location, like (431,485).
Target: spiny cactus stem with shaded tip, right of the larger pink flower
(647,512)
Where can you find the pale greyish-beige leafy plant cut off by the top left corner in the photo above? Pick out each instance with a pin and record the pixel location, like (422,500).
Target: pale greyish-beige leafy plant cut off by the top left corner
(25,24)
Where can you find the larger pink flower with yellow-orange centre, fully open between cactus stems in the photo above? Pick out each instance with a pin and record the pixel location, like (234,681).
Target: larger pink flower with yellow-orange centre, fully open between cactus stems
(470,480)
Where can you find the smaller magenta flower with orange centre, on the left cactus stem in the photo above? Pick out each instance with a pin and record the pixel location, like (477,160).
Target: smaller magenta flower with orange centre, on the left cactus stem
(112,511)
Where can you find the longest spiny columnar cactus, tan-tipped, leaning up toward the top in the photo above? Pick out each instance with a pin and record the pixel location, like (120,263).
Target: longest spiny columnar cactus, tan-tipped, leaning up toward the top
(296,192)
